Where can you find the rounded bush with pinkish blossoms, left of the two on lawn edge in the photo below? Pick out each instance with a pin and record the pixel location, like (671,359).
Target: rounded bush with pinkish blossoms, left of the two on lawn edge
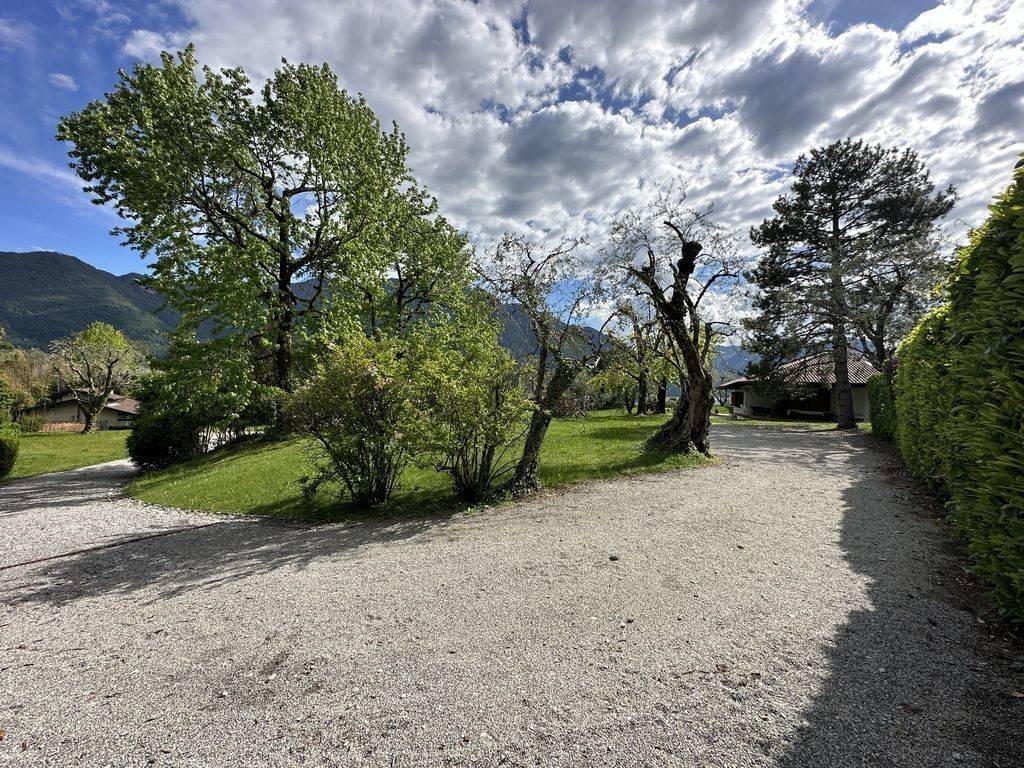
(358,408)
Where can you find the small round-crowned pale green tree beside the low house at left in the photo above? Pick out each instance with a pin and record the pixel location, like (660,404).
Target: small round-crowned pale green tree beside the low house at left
(95,364)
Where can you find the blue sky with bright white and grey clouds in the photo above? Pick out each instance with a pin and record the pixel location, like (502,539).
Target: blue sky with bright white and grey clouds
(553,116)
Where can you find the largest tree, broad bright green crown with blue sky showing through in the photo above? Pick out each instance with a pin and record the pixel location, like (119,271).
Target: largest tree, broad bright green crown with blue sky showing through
(268,211)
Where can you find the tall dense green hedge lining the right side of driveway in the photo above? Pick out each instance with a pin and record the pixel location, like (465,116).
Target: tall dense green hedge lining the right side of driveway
(960,395)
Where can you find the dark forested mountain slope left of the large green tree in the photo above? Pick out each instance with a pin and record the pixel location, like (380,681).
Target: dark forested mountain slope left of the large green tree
(47,295)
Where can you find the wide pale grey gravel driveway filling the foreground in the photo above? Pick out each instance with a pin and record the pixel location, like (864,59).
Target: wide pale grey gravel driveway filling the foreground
(795,607)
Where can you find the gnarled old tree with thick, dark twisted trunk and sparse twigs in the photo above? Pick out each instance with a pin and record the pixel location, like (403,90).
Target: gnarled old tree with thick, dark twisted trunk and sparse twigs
(674,255)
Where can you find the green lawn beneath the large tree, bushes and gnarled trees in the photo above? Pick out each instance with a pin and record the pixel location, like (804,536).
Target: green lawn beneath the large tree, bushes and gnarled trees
(263,478)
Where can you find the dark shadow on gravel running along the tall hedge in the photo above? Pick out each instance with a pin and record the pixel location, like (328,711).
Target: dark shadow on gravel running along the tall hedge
(917,680)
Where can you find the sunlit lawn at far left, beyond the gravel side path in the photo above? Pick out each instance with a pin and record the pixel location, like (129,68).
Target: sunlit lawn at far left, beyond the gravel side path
(54,452)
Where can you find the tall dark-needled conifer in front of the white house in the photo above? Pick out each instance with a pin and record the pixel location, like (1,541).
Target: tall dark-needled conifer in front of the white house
(854,212)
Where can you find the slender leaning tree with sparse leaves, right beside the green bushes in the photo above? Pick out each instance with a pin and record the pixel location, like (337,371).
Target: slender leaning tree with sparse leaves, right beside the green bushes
(550,288)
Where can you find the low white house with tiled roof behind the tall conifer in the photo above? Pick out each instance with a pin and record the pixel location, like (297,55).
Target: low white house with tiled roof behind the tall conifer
(812,392)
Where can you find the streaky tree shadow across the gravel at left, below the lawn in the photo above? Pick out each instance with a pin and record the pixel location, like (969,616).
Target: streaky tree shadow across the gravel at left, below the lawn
(206,558)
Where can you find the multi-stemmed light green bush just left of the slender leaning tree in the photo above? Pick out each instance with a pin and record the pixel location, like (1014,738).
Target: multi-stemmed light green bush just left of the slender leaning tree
(467,390)
